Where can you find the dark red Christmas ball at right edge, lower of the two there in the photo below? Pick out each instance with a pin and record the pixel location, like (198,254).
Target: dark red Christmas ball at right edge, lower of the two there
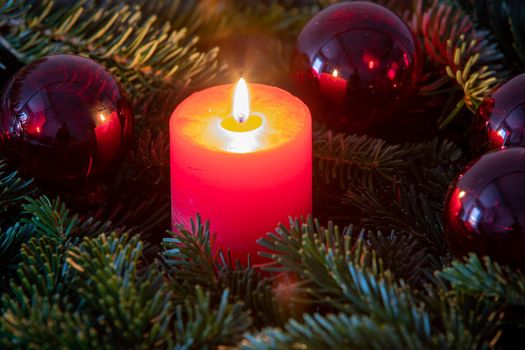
(485,208)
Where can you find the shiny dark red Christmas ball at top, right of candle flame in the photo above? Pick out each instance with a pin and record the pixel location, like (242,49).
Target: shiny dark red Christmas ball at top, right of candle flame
(355,64)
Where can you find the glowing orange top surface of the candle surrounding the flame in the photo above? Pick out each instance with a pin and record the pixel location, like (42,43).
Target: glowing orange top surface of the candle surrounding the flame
(197,120)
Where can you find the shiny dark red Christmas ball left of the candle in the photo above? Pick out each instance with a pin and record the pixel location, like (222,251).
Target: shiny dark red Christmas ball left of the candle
(64,119)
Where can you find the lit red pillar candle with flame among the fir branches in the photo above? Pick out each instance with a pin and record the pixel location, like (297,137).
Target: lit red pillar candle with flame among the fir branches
(245,166)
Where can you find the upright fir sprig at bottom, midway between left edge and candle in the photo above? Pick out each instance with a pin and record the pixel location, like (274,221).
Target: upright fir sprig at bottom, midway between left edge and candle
(132,306)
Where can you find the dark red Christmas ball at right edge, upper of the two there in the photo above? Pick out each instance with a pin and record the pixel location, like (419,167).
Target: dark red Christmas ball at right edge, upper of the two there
(500,119)
